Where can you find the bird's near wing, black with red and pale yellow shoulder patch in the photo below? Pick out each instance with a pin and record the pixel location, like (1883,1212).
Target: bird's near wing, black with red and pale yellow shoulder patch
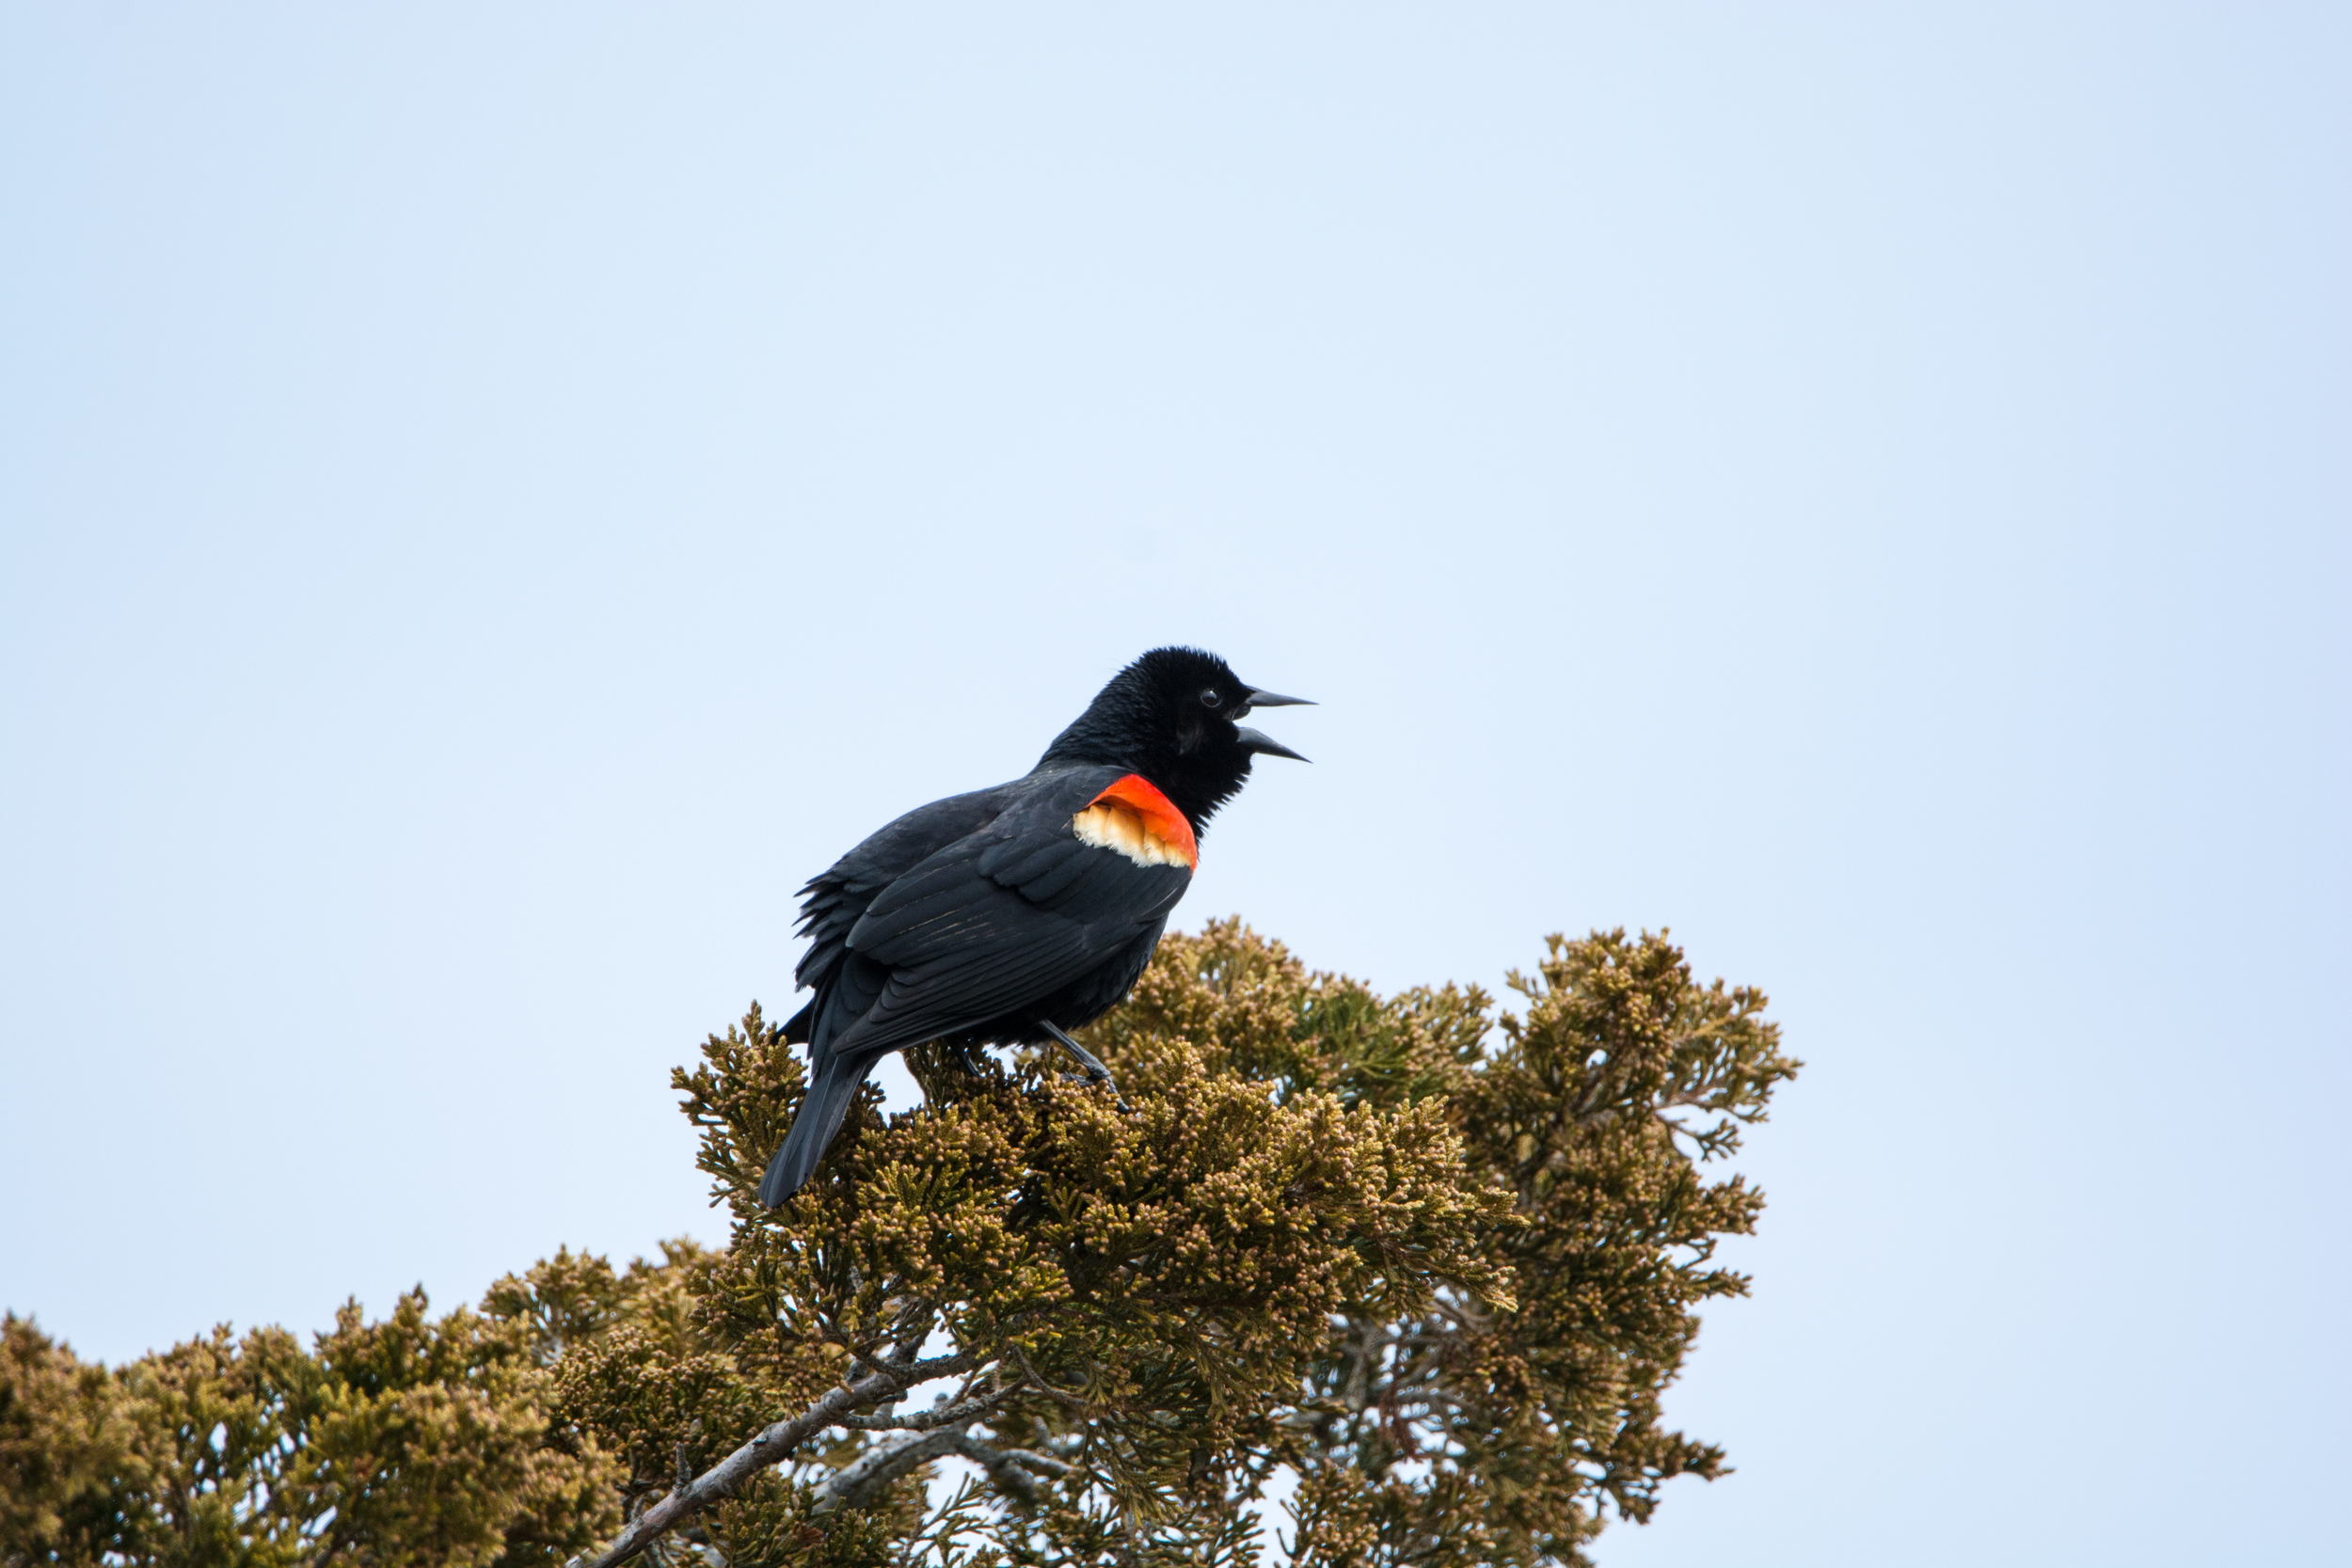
(1022,909)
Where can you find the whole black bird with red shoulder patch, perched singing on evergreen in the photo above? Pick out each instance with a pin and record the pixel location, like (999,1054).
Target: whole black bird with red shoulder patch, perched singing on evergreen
(1020,913)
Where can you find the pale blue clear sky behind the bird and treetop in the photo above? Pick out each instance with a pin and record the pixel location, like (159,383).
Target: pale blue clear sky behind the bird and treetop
(495,497)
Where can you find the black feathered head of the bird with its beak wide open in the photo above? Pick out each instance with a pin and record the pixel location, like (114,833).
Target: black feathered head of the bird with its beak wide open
(1175,716)
